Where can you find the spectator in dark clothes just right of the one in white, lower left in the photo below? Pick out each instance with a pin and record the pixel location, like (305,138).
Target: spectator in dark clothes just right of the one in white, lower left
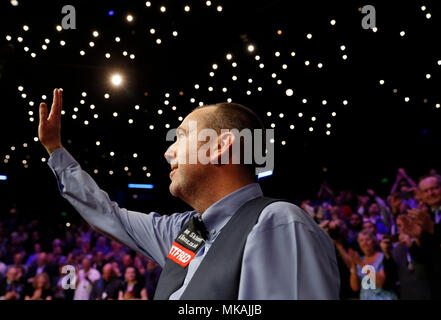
(107,287)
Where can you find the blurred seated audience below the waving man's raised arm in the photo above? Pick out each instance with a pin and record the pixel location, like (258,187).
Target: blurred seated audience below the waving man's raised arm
(32,260)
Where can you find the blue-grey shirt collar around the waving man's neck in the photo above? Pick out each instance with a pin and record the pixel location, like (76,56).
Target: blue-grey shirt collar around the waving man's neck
(219,213)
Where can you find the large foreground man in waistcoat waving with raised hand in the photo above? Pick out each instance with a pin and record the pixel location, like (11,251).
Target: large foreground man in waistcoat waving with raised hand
(280,252)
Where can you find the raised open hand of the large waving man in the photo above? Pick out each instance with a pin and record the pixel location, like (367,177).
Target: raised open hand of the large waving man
(49,129)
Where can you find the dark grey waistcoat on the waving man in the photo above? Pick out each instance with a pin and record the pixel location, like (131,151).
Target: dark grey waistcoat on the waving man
(218,275)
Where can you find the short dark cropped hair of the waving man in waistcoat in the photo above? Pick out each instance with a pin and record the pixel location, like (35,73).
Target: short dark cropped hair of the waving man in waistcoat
(236,116)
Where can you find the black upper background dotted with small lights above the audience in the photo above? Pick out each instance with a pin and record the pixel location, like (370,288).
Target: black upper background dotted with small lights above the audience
(371,137)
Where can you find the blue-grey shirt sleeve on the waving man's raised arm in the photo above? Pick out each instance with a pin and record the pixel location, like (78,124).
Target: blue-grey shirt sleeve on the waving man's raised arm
(151,234)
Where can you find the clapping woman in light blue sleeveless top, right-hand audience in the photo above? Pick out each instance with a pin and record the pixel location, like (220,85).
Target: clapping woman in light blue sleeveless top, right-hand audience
(371,256)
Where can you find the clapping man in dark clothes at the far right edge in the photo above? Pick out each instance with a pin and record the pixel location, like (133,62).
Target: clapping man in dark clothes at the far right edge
(423,224)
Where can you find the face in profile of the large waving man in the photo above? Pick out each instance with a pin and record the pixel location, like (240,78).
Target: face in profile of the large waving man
(186,175)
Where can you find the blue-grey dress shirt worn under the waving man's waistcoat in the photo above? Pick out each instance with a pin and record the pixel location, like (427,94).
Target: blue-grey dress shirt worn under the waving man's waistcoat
(287,255)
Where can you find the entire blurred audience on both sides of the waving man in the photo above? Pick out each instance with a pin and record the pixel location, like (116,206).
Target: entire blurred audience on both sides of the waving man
(398,234)
